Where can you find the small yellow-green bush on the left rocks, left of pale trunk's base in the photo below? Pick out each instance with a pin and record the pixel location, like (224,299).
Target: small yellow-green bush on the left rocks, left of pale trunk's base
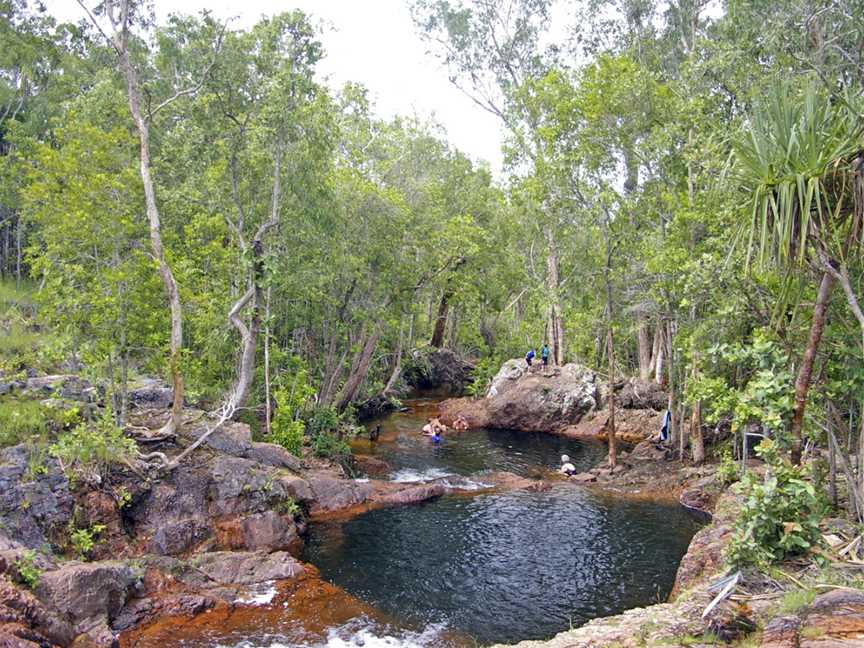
(90,448)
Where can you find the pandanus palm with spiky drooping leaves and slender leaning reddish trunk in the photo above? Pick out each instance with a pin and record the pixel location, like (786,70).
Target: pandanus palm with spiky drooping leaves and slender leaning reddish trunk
(799,157)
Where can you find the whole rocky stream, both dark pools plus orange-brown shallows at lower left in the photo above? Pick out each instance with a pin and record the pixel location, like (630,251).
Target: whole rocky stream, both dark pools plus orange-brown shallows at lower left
(467,569)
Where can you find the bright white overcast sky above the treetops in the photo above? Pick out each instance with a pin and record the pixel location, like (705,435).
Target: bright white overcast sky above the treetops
(372,42)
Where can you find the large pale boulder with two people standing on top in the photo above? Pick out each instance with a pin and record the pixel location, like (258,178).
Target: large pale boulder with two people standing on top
(530,401)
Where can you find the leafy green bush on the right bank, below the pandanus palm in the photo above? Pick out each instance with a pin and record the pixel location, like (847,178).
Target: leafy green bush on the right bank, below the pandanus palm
(780,515)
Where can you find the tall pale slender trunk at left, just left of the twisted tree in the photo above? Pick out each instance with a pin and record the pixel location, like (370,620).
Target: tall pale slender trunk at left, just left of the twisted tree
(154,221)
